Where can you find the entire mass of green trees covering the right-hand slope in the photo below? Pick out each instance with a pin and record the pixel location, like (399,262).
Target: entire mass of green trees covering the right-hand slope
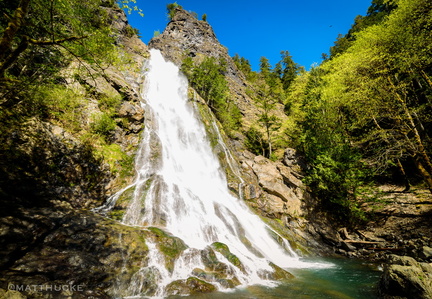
(363,112)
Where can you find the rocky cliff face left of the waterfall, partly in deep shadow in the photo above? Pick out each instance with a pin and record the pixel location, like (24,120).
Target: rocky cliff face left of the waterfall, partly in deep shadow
(52,174)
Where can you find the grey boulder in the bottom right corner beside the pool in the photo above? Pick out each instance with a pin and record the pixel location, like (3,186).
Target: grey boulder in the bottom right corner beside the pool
(404,277)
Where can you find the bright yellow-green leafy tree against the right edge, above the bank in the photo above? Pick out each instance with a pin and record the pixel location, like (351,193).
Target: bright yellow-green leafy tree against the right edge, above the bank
(383,82)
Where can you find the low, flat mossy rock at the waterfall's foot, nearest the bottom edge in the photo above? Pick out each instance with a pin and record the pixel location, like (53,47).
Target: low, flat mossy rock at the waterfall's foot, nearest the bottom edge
(189,286)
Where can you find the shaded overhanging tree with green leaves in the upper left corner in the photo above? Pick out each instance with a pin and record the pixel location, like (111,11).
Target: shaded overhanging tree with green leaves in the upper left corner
(42,36)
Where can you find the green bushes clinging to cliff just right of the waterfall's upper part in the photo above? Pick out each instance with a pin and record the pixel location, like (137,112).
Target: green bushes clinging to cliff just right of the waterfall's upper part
(209,81)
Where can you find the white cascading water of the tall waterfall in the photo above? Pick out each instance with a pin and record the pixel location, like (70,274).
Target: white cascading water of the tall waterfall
(181,188)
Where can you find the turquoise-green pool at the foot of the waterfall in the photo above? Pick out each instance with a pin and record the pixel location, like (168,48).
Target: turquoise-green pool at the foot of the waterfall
(348,279)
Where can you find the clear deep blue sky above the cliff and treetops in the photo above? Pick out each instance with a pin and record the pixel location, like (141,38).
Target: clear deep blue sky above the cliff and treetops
(305,28)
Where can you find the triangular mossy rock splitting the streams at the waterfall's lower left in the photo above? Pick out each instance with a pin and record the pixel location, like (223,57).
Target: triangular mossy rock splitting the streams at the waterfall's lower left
(171,247)
